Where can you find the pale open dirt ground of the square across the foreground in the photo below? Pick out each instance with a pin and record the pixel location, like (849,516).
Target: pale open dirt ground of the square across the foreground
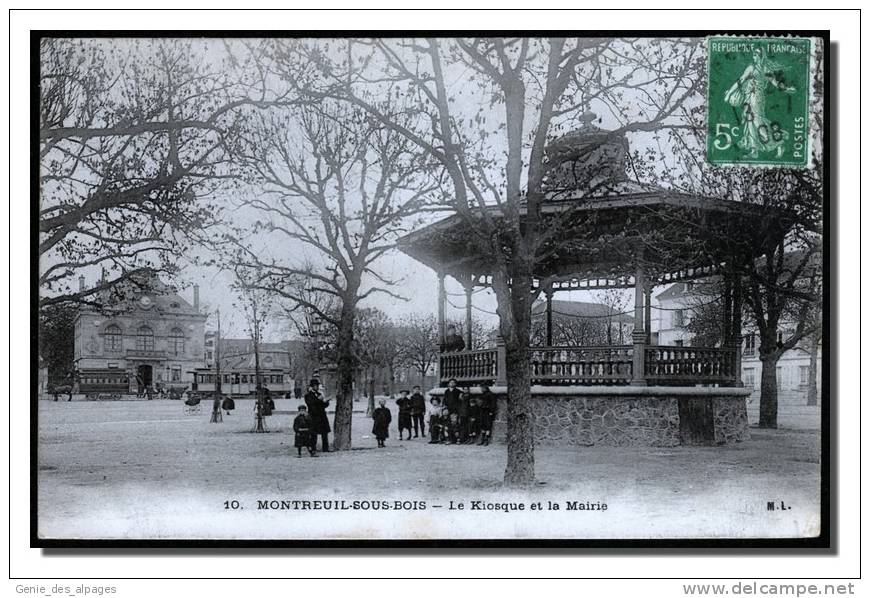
(145,469)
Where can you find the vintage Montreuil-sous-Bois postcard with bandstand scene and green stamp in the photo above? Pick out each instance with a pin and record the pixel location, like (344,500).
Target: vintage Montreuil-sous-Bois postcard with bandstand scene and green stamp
(369,289)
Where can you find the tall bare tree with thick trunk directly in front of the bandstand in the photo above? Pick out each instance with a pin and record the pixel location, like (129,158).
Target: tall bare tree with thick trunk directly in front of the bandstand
(491,142)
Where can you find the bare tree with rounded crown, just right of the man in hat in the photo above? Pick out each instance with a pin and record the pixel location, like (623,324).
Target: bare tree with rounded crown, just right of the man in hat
(340,187)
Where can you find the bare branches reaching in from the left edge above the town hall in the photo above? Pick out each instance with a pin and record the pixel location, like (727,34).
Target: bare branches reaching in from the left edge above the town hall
(134,139)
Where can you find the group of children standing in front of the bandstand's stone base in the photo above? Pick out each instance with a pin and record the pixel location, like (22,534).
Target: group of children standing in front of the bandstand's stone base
(460,418)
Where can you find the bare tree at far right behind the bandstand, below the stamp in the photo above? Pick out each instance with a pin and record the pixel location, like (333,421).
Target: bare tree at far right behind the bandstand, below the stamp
(784,284)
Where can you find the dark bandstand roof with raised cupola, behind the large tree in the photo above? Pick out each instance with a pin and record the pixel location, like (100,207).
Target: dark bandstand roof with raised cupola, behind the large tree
(603,225)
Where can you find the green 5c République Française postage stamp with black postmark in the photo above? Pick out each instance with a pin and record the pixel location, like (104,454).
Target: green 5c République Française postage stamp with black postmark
(758,98)
